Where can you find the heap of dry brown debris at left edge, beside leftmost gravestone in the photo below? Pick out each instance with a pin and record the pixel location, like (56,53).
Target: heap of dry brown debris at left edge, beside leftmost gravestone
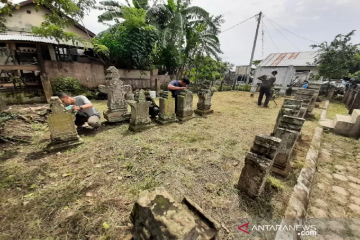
(17,122)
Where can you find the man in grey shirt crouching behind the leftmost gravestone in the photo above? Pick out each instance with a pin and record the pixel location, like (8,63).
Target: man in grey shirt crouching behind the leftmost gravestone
(86,111)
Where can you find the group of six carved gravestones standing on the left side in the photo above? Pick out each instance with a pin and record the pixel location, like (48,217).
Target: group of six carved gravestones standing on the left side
(61,122)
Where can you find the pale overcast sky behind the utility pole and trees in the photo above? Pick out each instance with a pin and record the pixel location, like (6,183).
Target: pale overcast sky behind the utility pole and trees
(316,20)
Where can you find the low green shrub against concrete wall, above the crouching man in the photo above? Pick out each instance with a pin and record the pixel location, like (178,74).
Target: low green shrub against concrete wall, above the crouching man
(67,85)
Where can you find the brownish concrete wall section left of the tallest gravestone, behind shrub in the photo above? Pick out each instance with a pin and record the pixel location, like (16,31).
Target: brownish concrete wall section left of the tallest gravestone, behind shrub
(90,75)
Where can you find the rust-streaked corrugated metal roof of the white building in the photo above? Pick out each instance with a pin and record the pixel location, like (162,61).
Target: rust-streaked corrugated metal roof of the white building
(287,59)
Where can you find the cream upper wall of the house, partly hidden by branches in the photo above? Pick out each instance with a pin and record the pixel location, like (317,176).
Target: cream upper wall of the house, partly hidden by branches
(22,22)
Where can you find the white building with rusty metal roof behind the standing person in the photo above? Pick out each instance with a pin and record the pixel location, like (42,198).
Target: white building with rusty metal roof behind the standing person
(288,65)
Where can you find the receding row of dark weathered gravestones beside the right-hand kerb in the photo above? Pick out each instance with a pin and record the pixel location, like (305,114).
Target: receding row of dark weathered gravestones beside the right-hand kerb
(273,153)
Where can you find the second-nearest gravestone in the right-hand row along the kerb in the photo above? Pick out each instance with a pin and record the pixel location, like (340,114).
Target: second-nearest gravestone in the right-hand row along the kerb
(282,161)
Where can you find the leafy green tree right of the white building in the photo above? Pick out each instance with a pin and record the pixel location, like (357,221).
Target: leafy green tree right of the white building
(337,58)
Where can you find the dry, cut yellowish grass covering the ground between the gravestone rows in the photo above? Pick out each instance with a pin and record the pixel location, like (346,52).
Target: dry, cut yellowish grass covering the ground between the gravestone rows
(72,194)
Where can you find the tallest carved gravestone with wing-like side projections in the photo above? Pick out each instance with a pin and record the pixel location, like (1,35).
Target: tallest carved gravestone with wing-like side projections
(116,92)
